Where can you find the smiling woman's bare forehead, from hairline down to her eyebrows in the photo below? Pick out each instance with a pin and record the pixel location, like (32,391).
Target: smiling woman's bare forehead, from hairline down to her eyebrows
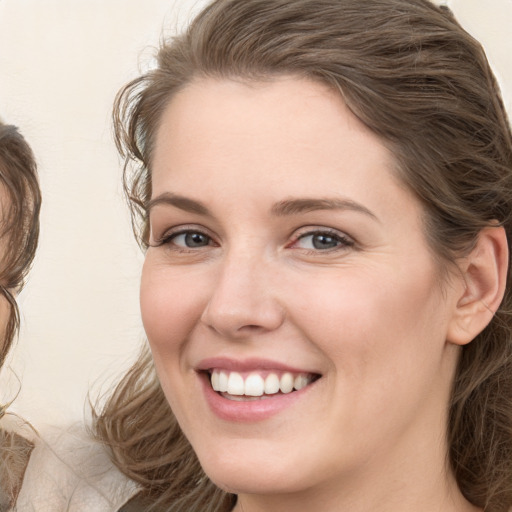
(285,131)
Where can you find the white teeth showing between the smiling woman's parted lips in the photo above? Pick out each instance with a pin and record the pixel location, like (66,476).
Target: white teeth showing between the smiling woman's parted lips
(257,386)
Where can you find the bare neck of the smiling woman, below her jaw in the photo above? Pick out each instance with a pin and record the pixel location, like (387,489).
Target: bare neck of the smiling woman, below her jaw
(418,480)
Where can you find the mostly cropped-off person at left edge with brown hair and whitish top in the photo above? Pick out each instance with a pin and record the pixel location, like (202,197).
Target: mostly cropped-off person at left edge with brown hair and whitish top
(57,470)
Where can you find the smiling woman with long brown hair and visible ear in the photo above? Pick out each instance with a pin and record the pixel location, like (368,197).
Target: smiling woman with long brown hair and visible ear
(324,193)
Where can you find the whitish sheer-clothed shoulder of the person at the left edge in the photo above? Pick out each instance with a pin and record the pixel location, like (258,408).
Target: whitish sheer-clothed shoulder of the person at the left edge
(69,471)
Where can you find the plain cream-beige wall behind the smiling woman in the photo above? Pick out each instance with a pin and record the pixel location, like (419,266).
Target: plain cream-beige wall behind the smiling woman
(61,63)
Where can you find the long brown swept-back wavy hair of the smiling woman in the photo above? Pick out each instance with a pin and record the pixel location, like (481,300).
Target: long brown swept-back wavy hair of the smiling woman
(411,74)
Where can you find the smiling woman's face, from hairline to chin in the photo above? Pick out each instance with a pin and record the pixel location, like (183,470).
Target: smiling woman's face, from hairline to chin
(284,251)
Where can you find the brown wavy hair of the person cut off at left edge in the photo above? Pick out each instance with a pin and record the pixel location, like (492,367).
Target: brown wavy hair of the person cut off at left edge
(20,201)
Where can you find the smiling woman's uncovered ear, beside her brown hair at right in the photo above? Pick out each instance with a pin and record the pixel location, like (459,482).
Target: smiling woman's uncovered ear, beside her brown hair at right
(484,274)
